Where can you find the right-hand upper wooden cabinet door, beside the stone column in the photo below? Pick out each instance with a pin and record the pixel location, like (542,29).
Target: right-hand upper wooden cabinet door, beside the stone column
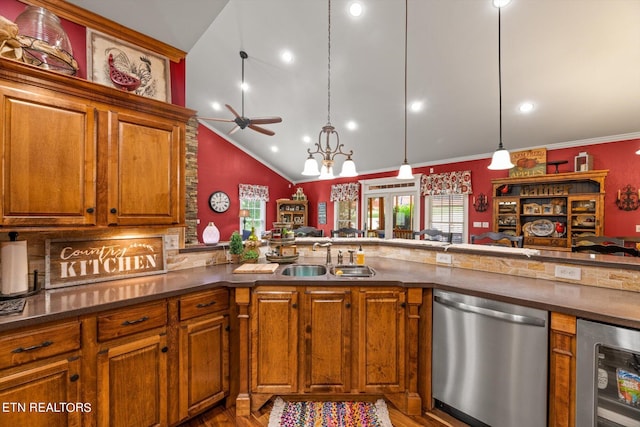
(145,170)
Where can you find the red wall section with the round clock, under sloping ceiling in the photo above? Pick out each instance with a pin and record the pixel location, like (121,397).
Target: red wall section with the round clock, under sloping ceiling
(222,166)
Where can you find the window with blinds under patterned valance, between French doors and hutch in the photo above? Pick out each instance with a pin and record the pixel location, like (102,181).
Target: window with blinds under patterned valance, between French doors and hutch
(448,213)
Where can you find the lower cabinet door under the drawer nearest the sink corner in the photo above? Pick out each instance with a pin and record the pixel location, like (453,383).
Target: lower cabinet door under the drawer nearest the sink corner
(204,364)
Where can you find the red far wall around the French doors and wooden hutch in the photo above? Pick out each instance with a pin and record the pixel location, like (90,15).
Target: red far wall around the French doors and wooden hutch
(618,157)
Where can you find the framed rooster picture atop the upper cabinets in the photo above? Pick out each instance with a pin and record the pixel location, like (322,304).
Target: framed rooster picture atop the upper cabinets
(116,63)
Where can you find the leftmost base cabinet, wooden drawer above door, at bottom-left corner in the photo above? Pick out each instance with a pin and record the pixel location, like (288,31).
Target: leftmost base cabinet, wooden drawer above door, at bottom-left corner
(40,372)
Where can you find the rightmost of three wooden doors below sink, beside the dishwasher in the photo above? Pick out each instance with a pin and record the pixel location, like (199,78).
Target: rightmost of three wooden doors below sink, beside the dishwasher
(381,340)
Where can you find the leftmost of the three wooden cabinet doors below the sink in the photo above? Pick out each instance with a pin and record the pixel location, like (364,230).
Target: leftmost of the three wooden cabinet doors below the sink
(274,341)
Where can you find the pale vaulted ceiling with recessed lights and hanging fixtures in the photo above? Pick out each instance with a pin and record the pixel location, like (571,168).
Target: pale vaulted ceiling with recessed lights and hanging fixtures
(576,61)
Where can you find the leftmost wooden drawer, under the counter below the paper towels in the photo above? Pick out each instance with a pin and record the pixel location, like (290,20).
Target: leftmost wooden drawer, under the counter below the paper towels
(38,343)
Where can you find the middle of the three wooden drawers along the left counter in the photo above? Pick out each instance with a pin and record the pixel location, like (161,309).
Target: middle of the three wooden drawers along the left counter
(131,320)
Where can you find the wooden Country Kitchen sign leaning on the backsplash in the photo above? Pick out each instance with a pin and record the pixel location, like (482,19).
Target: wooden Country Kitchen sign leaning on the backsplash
(75,262)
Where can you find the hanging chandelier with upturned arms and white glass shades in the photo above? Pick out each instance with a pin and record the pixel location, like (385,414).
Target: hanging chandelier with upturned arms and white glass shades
(327,152)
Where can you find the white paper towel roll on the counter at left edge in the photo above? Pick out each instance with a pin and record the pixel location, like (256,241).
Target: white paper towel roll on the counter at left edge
(15,275)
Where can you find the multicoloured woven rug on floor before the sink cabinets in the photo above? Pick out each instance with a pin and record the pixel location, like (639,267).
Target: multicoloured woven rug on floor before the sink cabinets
(329,414)
